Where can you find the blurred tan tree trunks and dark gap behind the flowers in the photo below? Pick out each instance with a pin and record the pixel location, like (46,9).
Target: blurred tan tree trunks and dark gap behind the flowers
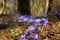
(29,7)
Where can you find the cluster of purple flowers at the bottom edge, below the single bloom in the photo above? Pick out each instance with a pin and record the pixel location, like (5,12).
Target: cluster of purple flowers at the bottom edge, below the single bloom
(32,35)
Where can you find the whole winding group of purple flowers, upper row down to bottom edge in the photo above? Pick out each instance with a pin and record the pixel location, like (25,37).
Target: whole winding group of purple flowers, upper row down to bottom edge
(36,21)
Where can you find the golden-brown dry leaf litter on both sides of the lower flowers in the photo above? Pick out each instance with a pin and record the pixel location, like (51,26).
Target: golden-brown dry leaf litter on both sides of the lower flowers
(49,32)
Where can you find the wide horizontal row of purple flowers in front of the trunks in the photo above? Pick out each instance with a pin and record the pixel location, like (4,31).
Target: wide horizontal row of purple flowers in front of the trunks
(32,19)
